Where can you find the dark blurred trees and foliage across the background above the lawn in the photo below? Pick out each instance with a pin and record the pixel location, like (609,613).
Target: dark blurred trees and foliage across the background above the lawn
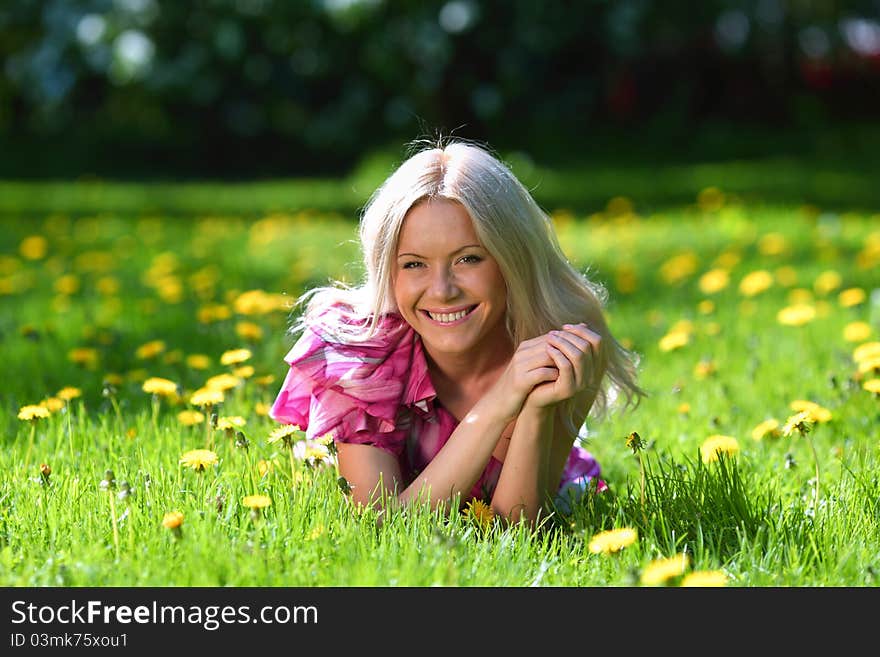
(272,87)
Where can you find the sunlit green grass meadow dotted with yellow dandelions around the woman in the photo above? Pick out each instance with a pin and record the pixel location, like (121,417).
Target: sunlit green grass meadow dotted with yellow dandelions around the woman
(143,333)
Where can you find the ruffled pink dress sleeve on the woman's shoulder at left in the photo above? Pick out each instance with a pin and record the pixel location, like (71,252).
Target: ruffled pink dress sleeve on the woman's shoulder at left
(352,391)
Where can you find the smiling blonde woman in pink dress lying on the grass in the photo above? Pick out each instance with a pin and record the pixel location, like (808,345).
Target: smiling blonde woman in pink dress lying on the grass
(464,364)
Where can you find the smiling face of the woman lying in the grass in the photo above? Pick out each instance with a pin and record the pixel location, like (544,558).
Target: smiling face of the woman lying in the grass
(447,286)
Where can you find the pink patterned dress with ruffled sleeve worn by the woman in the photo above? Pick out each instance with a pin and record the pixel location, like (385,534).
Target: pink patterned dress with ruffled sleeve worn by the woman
(379,393)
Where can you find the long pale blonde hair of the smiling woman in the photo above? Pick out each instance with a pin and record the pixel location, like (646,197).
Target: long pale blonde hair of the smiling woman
(544,291)
